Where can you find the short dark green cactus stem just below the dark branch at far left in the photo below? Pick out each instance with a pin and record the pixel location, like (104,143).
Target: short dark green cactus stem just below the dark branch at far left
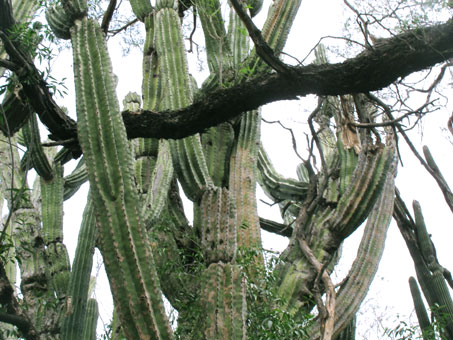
(38,158)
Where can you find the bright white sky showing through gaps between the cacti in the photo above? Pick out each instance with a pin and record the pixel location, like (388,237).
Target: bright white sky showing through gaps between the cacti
(389,292)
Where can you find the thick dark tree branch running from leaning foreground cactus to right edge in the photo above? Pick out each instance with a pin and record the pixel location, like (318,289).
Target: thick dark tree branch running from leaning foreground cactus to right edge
(371,70)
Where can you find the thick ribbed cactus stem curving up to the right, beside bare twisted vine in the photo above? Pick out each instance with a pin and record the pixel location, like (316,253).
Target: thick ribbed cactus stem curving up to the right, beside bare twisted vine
(328,225)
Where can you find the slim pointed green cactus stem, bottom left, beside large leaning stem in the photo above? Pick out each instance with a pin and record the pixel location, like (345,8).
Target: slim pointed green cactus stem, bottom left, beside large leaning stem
(76,313)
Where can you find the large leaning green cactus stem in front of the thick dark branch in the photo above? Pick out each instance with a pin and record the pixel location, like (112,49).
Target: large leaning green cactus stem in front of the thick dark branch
(125,246)
